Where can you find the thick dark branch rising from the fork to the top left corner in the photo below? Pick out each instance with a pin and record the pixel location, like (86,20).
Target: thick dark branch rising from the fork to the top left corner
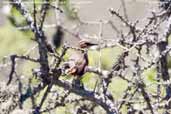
(39,34)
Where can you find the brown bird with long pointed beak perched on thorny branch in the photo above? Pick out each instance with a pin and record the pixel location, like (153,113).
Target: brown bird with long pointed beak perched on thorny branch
(78,61)
